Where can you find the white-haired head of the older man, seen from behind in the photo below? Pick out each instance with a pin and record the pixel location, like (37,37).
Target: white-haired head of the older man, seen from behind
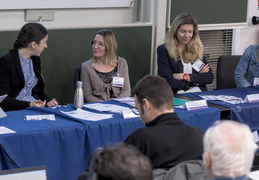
(228,149)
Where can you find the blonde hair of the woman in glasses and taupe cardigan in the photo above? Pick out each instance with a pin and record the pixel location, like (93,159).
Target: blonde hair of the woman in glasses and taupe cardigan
(110,45)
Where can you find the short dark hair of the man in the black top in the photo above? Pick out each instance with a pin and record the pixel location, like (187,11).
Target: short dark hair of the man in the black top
(156,90)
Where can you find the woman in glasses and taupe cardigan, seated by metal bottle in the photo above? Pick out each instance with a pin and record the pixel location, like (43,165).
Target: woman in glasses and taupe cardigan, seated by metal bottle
(105,75)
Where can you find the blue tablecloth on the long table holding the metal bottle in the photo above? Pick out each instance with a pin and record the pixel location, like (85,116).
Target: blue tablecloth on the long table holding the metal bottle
(65,144)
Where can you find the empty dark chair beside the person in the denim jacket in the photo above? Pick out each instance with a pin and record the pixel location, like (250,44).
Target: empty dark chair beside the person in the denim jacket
(225,71)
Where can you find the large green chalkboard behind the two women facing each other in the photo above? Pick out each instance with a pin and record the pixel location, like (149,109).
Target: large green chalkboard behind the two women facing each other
(69,48)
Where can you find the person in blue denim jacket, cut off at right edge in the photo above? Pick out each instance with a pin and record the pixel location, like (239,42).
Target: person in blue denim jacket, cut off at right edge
(247,70)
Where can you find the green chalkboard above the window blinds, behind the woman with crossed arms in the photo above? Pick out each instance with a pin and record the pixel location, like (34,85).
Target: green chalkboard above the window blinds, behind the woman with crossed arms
(211,11)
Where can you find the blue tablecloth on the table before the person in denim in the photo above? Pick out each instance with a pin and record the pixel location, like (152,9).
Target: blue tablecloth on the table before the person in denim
(244,112)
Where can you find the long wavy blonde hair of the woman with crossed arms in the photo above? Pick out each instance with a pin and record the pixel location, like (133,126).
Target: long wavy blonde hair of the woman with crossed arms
(194,49)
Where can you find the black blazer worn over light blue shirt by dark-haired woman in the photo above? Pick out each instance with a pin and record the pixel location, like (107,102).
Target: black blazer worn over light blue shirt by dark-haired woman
(12,81)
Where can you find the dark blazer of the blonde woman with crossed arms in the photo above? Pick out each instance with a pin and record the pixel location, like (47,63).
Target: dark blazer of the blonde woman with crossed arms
(167,66)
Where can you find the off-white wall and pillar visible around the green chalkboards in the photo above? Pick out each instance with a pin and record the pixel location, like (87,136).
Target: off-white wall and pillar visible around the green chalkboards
(156,14)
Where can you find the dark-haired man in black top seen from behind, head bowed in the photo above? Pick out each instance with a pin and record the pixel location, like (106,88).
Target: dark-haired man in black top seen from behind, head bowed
(166,140)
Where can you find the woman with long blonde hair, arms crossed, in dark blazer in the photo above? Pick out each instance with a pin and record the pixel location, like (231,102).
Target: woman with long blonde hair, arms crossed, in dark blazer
(181,60)
